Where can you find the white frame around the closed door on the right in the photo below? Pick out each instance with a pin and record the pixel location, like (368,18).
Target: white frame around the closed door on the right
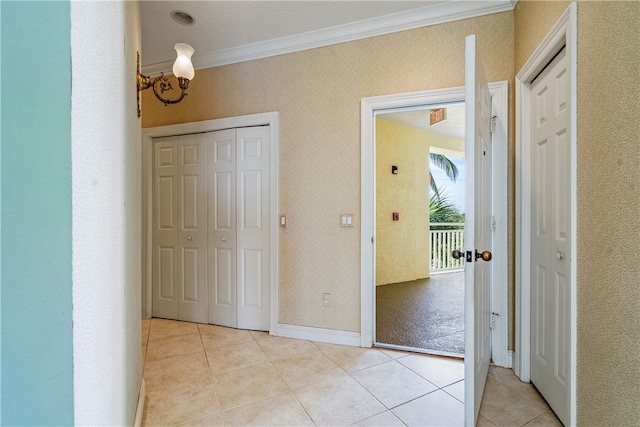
(563,34)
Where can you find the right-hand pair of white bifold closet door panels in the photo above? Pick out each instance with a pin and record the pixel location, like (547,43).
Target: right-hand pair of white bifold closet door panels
(239,228)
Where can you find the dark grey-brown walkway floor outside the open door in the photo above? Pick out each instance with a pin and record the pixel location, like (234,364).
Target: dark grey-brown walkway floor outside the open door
(425,314)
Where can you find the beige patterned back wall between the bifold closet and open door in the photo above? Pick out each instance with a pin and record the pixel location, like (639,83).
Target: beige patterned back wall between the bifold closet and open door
(317,94)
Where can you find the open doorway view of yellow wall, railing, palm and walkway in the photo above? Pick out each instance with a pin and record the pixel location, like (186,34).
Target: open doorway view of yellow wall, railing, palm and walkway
(419,220)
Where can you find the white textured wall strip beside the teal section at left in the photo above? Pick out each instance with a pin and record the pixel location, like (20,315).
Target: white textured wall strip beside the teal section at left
(106,158)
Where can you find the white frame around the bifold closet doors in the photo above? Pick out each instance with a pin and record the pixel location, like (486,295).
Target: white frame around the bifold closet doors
(270,119)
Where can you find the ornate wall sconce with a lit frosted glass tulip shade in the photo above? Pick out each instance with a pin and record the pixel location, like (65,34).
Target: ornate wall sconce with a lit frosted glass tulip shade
(182,69)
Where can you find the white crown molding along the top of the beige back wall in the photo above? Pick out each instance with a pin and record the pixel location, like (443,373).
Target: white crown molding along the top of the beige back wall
(438,13)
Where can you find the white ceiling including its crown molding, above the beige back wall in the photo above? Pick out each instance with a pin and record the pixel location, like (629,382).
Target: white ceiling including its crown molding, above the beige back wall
(226,32)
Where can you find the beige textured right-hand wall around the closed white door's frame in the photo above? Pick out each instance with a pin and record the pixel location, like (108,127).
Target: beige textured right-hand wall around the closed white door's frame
(608,158)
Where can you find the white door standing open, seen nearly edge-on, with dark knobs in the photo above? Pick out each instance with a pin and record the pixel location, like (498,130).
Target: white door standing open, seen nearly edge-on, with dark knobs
(477,231)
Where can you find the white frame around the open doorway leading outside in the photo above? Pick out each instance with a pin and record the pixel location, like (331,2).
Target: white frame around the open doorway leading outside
(369,107)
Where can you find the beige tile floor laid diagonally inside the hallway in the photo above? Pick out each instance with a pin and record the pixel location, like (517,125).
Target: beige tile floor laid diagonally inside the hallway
(209,375)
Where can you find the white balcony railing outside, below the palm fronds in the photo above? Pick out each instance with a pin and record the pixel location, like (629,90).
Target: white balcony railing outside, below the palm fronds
(445,237)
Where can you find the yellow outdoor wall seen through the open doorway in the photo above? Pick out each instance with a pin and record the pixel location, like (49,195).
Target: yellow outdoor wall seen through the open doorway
(402,247)
